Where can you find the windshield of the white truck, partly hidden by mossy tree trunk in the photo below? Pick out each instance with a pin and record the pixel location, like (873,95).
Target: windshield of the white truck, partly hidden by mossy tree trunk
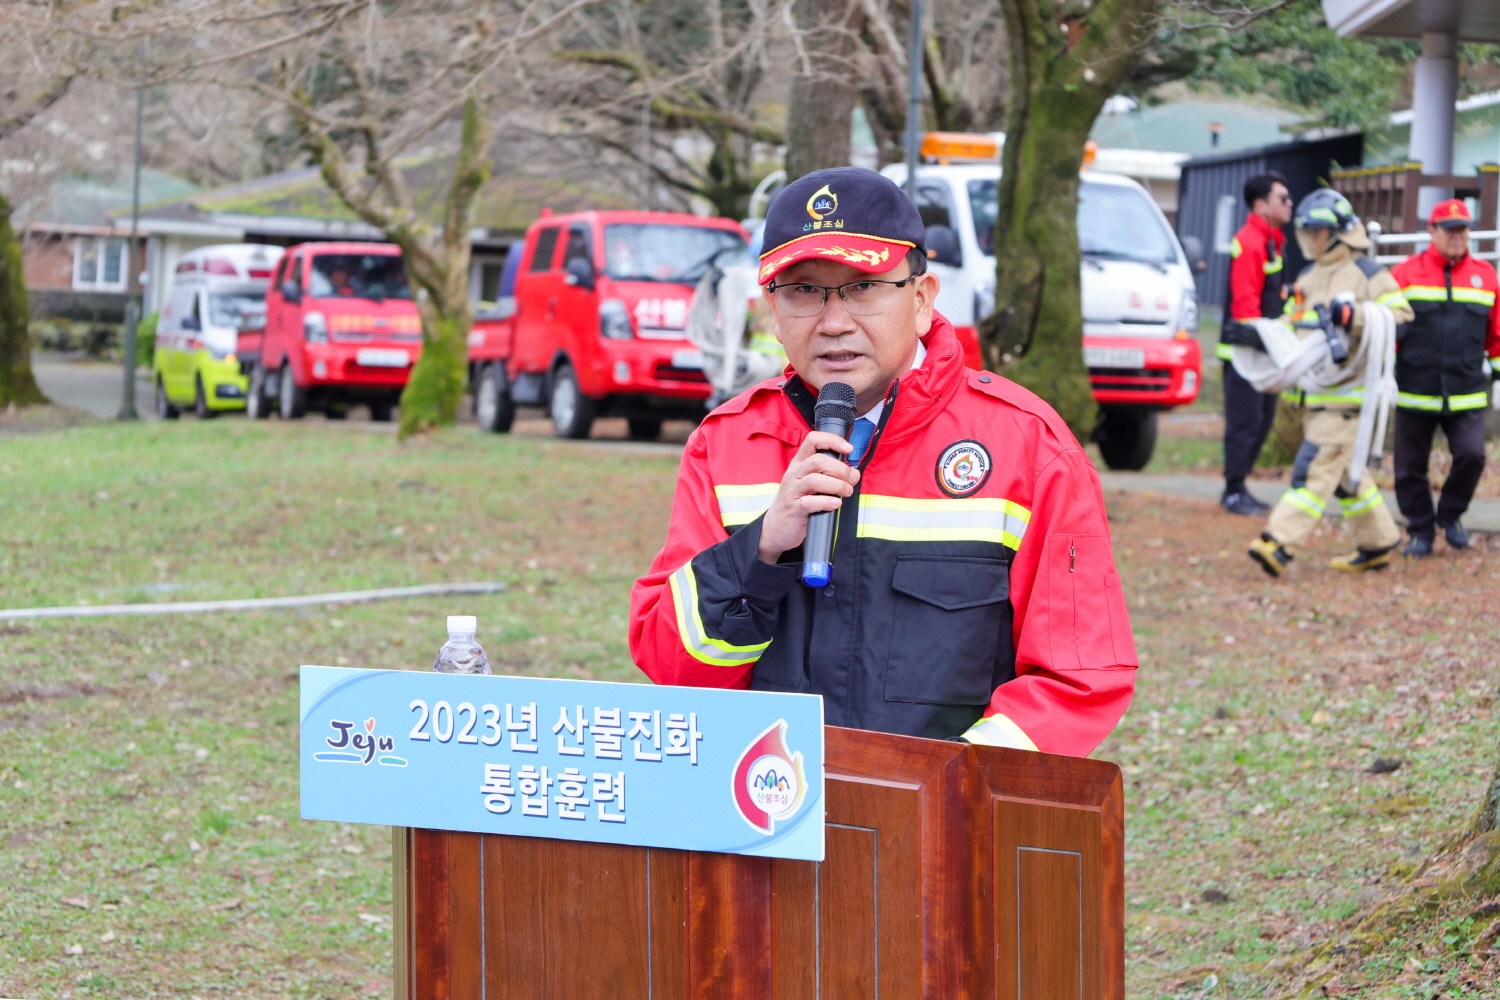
(1115,223)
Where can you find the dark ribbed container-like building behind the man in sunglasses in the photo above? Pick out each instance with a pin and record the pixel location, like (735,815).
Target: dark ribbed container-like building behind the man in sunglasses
(1208,179)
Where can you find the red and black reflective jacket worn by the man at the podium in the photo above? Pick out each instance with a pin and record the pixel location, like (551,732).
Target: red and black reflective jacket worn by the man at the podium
(991,611)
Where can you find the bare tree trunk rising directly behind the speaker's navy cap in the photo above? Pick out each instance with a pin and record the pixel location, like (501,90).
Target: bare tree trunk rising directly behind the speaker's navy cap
(824,91)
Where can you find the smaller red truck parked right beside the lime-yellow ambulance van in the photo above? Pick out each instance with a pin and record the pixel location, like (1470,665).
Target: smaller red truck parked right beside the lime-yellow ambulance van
(341,329)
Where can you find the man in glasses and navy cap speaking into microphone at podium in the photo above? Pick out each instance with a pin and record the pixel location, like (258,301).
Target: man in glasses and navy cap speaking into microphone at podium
(973,591)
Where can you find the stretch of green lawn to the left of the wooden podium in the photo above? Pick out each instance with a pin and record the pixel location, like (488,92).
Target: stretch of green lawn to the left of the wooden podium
(149,833)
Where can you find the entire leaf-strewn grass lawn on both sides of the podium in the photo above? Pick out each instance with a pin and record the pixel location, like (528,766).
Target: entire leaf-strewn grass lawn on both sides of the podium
(149,833)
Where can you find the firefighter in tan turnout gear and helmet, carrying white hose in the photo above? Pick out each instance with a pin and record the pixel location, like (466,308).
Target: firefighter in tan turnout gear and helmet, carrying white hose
(1340,278)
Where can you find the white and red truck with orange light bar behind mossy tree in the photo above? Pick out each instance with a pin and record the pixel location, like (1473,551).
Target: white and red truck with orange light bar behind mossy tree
(1141,310)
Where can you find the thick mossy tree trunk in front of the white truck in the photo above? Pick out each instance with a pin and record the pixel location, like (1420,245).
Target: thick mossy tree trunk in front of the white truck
(1066,61)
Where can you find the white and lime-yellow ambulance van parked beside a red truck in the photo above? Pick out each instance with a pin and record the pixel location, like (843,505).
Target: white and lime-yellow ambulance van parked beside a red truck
(209,332)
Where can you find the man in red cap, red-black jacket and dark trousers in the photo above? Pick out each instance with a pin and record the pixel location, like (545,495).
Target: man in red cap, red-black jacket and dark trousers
(1445,362)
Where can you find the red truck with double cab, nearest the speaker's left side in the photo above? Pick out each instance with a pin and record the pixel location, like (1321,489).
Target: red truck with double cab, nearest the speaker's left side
(598,322)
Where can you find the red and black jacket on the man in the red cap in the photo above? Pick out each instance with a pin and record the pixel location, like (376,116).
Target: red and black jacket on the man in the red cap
(1447,355)
